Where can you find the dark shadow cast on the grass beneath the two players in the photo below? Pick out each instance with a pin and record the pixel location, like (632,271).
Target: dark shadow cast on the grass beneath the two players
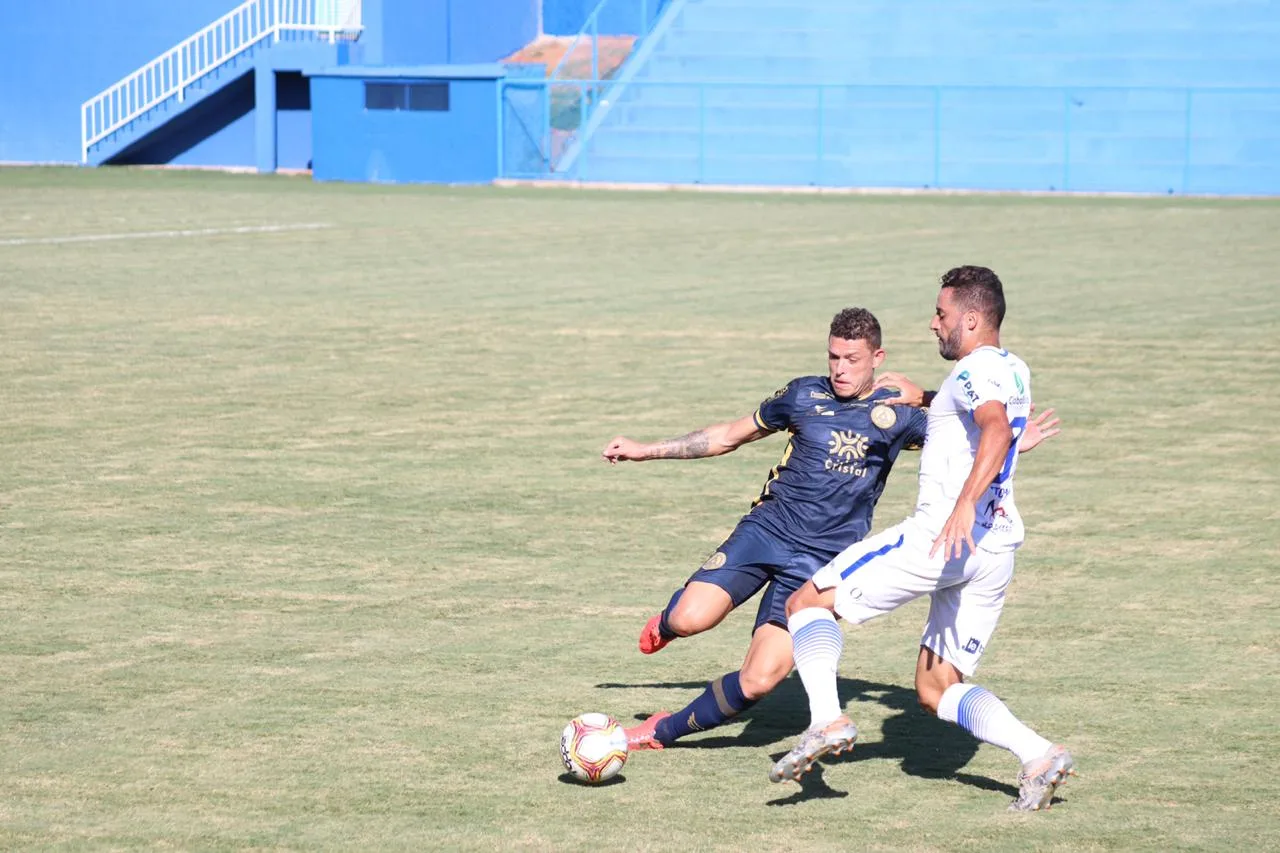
(921,743)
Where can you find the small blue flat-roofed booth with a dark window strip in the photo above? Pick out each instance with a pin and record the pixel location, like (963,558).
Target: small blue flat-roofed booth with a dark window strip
(456,145)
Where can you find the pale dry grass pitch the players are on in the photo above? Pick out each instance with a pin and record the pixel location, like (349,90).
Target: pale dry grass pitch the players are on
(307,542)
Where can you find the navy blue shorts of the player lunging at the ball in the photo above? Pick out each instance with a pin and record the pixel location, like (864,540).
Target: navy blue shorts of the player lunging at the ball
(753,559)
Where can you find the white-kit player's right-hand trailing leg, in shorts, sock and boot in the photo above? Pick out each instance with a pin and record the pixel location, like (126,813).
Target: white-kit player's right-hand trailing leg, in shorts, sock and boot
(962,622)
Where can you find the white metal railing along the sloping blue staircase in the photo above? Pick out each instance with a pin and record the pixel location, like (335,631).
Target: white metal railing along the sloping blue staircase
(171,74)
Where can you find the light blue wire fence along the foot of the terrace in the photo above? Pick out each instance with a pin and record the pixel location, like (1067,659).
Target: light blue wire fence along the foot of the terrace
(966,138)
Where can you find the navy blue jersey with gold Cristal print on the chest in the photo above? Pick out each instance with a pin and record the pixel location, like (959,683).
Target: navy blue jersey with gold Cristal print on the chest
(834,469)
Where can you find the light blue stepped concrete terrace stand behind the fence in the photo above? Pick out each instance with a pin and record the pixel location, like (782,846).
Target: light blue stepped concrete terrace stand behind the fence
(1148,97)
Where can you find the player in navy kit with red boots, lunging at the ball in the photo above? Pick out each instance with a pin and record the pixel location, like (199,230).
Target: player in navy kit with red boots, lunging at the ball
(819,500)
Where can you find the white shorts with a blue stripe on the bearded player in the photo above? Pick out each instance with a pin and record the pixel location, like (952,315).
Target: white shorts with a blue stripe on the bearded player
(893,568)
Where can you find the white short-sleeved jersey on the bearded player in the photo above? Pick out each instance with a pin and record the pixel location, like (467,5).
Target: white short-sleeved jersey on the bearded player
(952,445)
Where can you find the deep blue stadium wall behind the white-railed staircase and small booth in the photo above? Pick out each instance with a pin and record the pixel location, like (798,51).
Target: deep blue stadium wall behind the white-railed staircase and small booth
(60,54)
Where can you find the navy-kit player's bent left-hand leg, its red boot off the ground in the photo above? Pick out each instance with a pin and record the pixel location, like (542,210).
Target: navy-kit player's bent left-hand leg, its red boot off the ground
(732,576)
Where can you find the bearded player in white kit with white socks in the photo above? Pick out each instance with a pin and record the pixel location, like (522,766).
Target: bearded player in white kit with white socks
(958,548)
